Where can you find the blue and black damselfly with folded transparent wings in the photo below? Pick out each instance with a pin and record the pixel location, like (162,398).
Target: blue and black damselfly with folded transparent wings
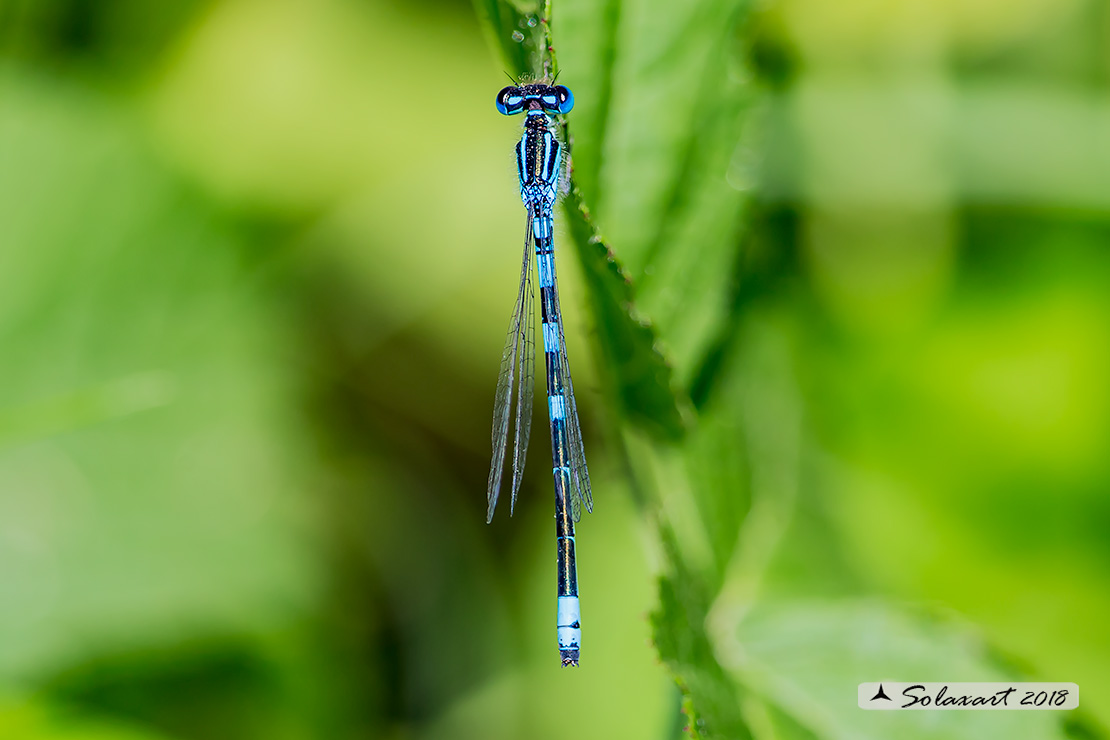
(540,164)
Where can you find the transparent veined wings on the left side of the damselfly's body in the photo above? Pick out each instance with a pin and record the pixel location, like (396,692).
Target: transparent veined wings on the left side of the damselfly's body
(518,372)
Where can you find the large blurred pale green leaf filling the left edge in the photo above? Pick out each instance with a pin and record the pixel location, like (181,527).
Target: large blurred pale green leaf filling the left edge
(147,480)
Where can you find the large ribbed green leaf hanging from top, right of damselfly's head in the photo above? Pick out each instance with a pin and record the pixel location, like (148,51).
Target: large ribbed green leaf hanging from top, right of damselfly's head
(667,107)
